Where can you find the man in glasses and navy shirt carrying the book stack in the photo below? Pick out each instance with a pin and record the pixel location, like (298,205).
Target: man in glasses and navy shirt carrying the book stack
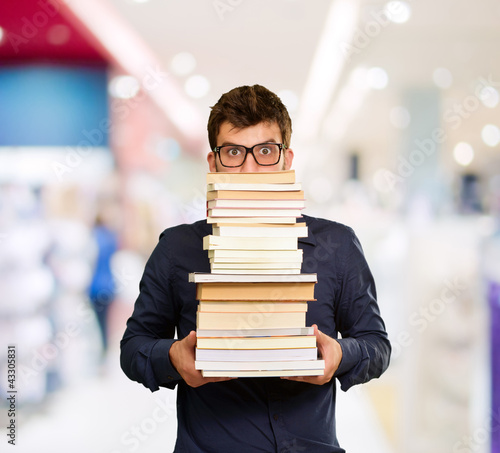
(255,414)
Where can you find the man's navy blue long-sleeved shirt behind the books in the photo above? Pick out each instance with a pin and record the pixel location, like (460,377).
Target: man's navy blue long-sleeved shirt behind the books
(257,414)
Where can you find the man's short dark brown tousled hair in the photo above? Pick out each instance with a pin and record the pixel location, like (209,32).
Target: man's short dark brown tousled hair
(247,106)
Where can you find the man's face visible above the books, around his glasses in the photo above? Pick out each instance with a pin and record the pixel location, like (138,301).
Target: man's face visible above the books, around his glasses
(250,136)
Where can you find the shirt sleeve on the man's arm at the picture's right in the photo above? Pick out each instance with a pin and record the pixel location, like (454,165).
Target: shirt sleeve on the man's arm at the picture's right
(365,345)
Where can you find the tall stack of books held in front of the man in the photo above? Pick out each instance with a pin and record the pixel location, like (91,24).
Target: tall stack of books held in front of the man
(251,318)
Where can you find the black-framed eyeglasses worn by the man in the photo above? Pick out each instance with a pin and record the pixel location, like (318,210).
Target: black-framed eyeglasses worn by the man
(235,155)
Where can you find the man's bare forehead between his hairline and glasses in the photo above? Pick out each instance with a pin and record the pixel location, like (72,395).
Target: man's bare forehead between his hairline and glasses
(249,136)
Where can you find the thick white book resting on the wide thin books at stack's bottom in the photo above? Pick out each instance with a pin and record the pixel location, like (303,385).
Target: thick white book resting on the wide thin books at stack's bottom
(257,355)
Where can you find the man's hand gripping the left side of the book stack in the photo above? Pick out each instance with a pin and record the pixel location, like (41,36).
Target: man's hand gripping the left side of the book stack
(182,358)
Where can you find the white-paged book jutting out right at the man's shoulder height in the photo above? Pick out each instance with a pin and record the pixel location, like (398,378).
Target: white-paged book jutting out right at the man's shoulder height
(297,230)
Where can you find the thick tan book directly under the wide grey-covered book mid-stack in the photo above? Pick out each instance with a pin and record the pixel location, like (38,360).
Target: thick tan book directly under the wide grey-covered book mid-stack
(255,291)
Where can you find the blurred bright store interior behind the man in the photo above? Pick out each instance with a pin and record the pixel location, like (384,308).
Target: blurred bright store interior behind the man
(103,111)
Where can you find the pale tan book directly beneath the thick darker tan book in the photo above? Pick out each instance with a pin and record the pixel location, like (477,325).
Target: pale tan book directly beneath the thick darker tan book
(215,306)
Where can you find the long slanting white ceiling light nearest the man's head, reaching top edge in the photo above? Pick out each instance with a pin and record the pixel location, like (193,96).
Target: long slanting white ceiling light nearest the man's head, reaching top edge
(327,65)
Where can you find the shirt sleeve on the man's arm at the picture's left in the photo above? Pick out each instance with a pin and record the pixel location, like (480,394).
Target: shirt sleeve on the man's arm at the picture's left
(150,330)
